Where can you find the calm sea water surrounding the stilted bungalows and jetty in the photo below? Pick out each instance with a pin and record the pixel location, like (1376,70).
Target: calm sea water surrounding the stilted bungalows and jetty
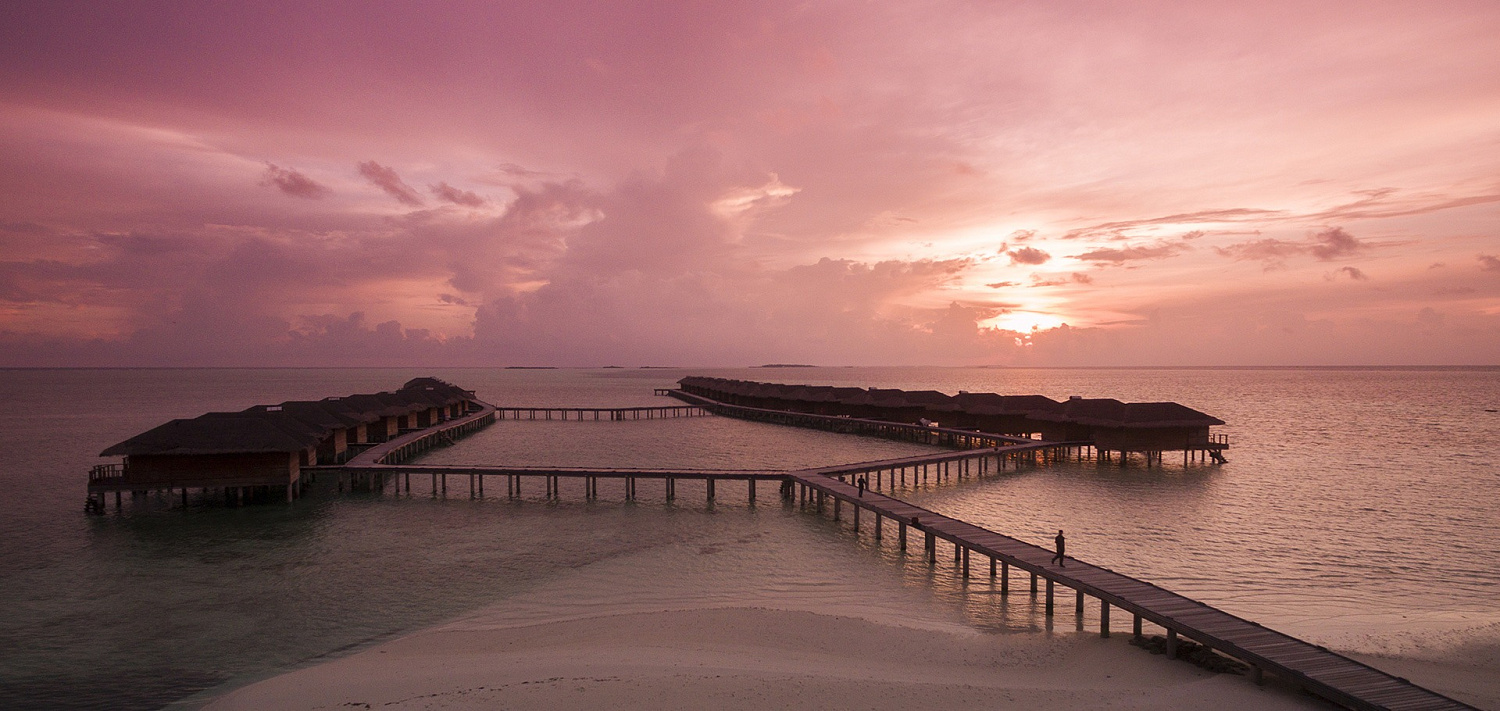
(1360,511)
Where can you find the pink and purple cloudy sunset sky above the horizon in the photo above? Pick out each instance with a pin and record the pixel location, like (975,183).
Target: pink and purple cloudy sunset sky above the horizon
(928,182)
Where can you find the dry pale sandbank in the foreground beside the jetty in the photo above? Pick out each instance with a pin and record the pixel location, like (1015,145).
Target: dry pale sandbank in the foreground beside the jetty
(751,659)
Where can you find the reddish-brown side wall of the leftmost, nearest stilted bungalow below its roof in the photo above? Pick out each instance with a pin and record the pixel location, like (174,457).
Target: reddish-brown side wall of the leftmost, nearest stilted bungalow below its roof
(211,470)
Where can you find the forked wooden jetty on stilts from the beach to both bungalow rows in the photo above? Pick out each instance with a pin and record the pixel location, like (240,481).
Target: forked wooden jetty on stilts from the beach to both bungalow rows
(829,491)
